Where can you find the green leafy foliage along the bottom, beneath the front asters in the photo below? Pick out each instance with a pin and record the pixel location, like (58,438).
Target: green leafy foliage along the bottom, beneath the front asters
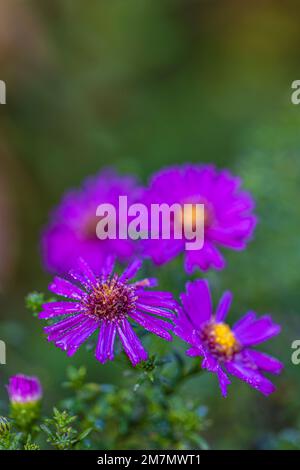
(101,416)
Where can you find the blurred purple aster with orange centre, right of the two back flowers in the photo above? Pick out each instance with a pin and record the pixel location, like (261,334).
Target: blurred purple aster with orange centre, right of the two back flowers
(228,220)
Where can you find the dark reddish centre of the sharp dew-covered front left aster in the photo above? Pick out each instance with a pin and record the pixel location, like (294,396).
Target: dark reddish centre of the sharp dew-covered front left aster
(110,300)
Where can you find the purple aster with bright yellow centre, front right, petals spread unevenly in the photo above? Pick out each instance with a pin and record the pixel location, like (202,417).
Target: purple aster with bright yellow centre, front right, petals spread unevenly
(225,350)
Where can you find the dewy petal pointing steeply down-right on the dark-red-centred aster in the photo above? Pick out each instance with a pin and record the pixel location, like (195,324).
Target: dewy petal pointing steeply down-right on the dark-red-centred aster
(131,343)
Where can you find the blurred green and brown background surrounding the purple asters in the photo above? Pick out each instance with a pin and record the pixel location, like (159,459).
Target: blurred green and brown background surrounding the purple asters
(140,84)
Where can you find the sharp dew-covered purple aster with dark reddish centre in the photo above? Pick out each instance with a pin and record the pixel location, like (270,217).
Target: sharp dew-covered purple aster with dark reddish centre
(108,303)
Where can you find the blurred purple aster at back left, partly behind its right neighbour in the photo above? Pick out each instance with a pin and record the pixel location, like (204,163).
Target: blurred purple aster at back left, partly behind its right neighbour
(71,232)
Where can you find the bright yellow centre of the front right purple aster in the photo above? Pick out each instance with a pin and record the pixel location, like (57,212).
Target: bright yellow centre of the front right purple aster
(220,340)
